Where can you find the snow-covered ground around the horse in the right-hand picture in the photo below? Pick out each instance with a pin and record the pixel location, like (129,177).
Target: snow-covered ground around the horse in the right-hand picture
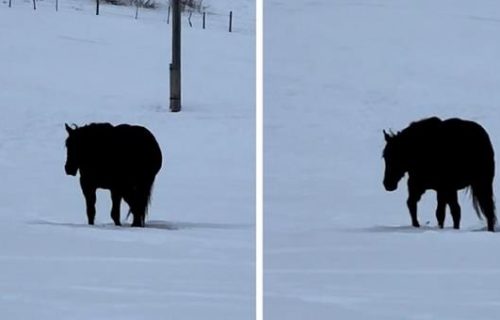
(338,72)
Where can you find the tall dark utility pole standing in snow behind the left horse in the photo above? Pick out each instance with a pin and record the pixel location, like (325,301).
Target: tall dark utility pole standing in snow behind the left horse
(175,66)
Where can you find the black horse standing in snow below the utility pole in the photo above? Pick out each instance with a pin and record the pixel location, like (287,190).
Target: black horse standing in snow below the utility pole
(124,159)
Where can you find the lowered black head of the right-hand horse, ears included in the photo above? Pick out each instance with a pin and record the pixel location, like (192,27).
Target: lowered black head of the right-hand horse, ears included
(395,161)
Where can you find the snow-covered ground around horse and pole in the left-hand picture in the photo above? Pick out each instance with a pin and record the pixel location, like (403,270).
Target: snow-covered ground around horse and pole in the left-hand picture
(195,258)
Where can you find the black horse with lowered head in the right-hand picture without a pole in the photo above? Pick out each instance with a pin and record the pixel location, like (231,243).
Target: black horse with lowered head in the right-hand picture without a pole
(445,156)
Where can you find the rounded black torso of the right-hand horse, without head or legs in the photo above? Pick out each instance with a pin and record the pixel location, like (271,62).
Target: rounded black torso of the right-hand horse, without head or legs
(452,152)
